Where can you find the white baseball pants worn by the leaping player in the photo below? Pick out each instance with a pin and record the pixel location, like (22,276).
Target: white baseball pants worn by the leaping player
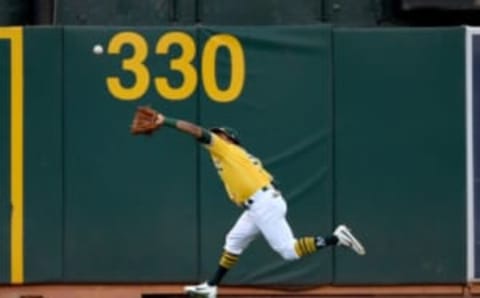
(266,215)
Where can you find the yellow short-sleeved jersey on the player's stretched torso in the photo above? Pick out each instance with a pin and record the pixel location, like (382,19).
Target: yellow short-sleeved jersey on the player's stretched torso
(241,173)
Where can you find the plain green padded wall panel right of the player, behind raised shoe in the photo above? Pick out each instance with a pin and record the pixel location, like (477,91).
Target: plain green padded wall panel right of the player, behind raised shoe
(400,154)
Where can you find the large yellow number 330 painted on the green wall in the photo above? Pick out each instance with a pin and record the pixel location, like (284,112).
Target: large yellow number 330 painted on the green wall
(135,65)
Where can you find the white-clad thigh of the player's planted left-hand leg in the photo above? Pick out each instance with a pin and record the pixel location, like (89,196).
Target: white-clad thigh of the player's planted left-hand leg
(241,234)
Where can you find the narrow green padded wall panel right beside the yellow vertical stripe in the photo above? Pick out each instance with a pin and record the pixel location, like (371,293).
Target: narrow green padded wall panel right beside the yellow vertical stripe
(43,155)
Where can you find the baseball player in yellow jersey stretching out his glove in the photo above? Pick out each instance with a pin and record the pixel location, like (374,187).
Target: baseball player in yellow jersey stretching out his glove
(251,187)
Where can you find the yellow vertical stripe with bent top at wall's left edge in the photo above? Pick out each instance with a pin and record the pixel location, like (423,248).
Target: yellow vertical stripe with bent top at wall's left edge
(15,35)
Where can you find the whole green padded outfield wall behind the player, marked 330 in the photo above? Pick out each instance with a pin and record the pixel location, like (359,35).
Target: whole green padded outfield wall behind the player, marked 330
(364,127)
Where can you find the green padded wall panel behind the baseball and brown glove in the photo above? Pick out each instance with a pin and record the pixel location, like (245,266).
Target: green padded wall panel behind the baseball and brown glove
(131,213)
